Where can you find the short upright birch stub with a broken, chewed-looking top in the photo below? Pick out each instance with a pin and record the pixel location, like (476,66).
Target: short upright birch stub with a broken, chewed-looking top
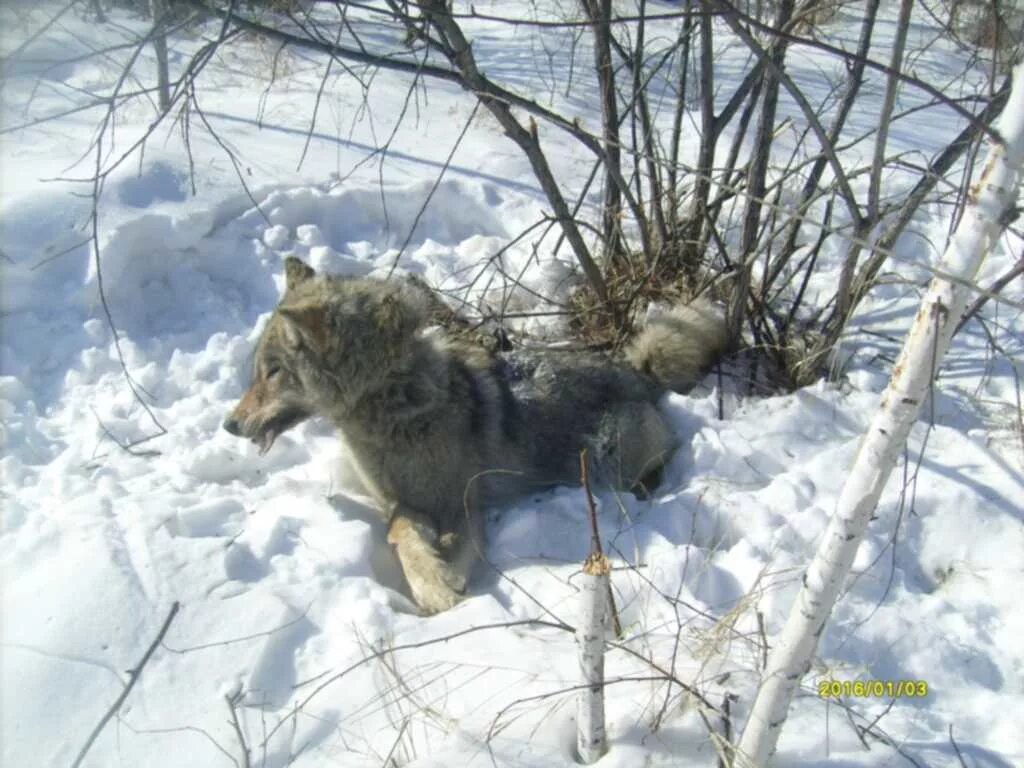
(591,743)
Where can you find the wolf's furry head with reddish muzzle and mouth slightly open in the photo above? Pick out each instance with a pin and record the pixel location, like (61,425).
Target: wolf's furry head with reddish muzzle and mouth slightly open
(330,342)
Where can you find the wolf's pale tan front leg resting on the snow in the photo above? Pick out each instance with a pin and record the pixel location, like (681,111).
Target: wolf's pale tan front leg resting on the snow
(437,585)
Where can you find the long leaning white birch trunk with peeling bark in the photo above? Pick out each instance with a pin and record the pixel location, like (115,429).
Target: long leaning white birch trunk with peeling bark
(991,200)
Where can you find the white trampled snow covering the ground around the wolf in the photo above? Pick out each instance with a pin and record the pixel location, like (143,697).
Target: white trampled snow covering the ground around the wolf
(290,603)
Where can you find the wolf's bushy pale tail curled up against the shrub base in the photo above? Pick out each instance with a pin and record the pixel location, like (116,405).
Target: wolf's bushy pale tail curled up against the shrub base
(676,348)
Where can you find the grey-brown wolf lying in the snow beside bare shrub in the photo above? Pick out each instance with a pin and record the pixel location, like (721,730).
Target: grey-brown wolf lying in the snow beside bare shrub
(441,431)
